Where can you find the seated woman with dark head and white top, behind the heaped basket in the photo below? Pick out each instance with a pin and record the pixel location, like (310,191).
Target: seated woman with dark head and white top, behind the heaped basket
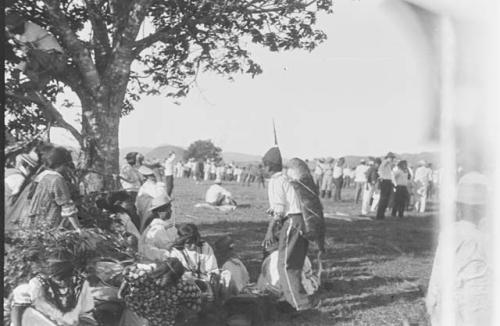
(197,256)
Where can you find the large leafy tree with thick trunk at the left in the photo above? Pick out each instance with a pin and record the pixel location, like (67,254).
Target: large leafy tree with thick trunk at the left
(121,49)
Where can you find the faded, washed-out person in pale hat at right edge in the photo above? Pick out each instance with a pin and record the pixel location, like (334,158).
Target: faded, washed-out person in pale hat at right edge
(472,266)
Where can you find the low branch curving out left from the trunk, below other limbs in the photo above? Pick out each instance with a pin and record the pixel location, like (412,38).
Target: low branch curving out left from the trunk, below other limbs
(48,109)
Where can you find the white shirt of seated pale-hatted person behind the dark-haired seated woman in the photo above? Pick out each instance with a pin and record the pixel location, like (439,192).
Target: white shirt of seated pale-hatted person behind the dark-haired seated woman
(157,239)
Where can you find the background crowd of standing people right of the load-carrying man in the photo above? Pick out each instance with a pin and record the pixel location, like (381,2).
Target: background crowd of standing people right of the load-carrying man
(379,183)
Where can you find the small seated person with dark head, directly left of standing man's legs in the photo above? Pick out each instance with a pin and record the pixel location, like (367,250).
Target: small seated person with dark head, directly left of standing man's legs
(234,275)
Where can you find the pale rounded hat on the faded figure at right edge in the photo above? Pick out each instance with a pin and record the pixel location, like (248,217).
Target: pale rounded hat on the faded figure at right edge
(472,189)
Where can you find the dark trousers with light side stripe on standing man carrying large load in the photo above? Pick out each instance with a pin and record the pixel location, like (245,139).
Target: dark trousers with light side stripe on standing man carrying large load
(292,249)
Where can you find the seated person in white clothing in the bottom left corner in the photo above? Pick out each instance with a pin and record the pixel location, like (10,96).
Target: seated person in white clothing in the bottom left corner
(60,296)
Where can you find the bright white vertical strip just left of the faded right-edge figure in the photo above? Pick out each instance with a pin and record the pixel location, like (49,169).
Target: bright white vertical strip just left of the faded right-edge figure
(448,167)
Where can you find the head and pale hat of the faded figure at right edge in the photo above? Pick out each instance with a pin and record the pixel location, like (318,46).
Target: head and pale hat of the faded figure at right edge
(471,198)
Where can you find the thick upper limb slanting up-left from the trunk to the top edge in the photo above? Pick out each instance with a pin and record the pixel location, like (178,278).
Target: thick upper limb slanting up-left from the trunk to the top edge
(78,52)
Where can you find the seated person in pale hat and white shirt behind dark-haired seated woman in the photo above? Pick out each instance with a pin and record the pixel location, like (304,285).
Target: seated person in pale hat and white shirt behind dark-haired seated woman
(160,233)
